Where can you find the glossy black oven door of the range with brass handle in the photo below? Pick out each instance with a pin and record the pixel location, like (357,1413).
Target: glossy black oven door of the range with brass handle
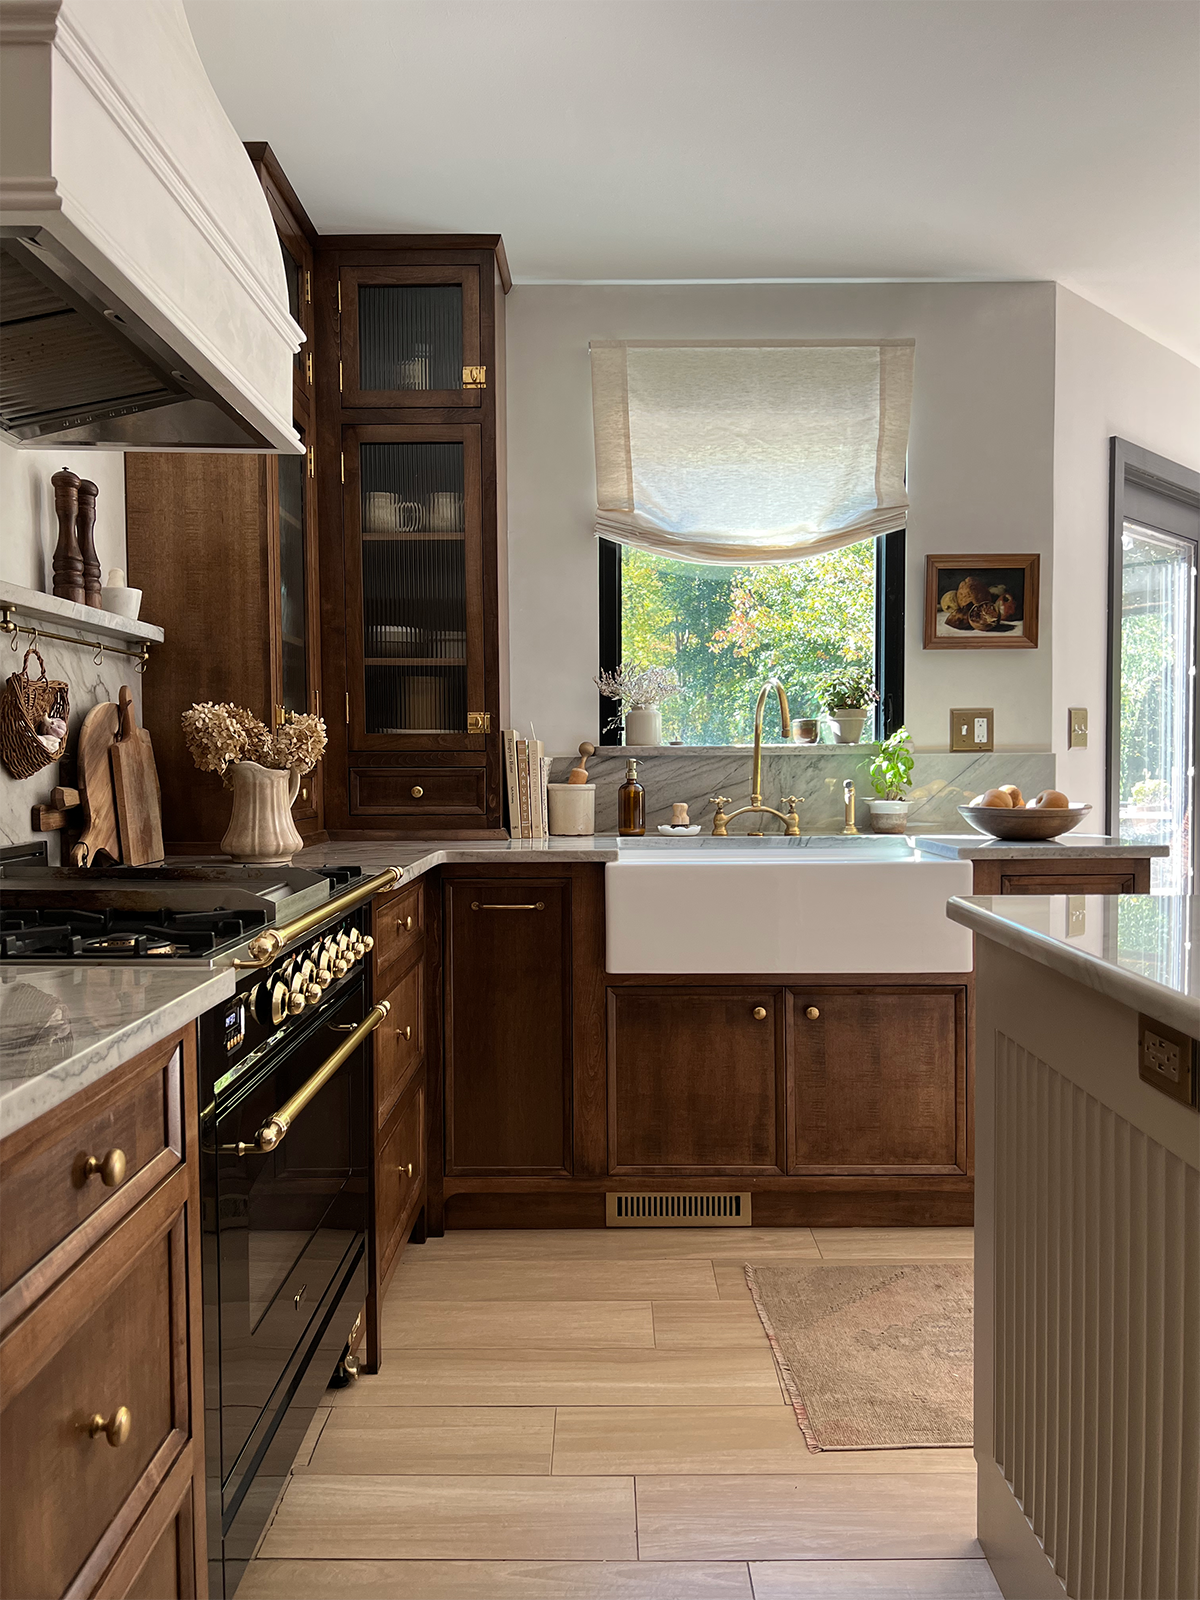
(287,1220)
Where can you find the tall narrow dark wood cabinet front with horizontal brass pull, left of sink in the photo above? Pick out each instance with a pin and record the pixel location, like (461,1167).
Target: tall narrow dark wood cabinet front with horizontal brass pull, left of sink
(508,1026)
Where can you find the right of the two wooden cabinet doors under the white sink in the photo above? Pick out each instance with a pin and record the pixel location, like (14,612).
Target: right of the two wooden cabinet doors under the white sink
(879,1081)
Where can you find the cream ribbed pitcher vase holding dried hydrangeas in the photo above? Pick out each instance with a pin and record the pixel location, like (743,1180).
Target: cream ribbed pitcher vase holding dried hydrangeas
(263,769)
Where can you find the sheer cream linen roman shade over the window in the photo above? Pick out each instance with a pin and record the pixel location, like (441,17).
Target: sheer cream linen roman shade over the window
(751,452)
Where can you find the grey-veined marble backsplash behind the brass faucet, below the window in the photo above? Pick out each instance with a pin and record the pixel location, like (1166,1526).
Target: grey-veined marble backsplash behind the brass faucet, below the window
(943,782)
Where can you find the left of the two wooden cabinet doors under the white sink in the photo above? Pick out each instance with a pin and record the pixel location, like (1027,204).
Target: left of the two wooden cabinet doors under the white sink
(697,1081)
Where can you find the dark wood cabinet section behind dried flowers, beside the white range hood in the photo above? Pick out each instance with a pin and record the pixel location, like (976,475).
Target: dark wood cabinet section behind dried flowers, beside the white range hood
(225,551)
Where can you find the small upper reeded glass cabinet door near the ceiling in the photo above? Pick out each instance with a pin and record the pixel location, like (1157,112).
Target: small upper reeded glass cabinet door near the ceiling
(412,337)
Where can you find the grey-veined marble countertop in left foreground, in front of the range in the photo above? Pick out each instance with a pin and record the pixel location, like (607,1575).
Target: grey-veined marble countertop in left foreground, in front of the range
(63,1028)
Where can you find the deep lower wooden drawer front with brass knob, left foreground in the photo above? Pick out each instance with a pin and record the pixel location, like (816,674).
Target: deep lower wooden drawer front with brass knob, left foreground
(114,1334)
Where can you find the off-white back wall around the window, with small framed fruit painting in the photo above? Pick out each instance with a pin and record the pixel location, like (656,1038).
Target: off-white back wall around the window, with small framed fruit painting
(980,470)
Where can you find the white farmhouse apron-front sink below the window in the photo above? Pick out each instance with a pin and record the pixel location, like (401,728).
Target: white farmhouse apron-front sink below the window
(783,906)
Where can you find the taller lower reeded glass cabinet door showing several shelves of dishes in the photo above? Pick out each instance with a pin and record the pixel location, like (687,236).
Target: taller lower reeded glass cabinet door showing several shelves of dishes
(414,586)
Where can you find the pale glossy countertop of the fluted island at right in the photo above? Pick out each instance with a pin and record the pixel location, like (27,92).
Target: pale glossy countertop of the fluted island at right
(1138,950)
